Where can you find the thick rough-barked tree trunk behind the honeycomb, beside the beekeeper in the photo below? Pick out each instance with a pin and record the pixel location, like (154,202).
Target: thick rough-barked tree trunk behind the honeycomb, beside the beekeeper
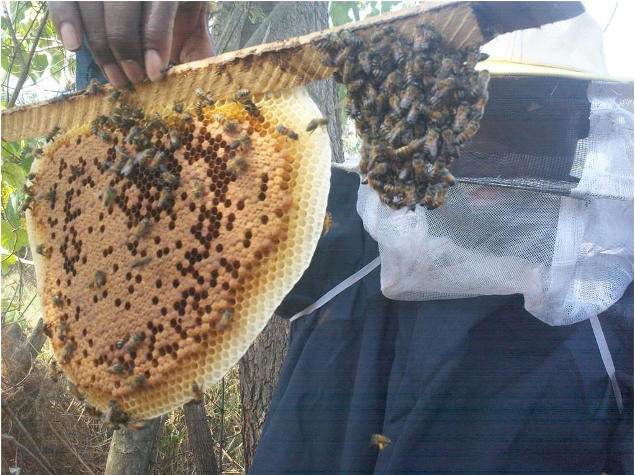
(261,364)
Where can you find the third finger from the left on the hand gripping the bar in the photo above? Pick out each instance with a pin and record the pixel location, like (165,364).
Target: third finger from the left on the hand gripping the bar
(123,30)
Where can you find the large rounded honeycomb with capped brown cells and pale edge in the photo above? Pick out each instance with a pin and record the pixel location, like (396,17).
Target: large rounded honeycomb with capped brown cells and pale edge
(166,239)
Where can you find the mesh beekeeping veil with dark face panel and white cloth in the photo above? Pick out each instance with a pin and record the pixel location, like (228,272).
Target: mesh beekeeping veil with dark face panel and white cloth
(544,207)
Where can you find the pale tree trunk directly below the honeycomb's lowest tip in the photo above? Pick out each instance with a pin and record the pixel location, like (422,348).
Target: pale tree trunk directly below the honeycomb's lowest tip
(130,451)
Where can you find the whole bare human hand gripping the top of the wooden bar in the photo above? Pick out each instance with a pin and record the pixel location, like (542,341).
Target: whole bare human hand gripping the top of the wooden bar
(132,40)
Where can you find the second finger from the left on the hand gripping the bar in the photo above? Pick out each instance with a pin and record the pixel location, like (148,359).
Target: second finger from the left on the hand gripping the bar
(95,28)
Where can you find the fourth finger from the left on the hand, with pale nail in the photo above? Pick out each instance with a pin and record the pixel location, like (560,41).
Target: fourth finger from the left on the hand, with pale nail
(158,24)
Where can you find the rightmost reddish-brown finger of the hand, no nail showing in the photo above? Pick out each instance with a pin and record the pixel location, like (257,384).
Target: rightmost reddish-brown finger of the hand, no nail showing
(191,39)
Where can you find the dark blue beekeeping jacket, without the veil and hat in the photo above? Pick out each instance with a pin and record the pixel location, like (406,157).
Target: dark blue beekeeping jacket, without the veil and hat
(464,386)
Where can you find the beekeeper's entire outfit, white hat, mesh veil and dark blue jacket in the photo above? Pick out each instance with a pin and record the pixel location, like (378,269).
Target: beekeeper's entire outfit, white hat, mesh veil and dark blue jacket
(494,334)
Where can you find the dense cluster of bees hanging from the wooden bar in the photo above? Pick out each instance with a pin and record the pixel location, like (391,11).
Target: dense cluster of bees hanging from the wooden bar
(415,104)
